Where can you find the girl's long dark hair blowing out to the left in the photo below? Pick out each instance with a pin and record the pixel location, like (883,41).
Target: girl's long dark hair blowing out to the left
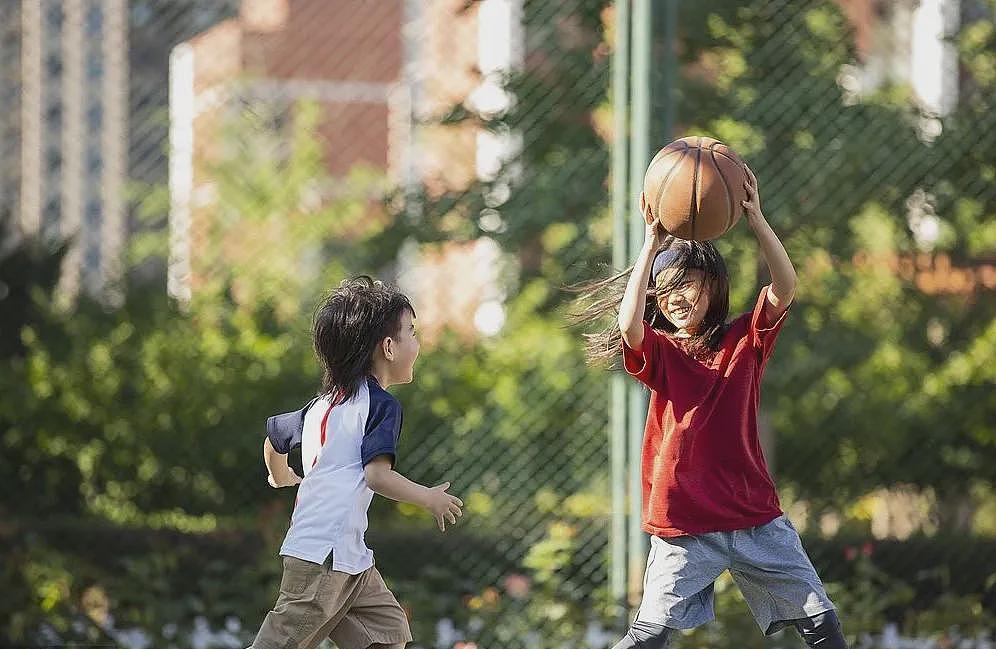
(600,299)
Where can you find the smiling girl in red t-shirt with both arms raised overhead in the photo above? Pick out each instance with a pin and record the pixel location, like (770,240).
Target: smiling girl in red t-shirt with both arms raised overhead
(708,500)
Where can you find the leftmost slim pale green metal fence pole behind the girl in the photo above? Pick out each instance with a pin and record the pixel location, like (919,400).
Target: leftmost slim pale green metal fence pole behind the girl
(617,415)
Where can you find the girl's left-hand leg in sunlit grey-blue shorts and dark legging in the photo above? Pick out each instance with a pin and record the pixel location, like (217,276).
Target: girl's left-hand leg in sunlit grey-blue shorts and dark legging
(677,588)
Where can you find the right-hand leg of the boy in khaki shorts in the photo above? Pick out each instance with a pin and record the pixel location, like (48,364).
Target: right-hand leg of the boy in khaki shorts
(374,617)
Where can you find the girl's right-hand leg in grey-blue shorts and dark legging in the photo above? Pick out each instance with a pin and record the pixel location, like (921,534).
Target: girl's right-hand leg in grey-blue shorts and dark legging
(778,581)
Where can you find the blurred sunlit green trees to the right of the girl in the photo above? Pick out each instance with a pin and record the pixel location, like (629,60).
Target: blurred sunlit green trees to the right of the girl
(876,381)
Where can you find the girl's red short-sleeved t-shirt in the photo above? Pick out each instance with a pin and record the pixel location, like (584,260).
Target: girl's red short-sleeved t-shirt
(703,469)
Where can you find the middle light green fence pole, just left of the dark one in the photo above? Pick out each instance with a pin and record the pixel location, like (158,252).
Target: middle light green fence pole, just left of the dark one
(642,31)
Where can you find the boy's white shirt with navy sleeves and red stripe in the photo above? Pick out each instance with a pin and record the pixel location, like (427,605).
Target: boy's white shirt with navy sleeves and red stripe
(337,440)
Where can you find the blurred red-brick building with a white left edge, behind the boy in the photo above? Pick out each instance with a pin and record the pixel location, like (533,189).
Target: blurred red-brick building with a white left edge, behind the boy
(342,55)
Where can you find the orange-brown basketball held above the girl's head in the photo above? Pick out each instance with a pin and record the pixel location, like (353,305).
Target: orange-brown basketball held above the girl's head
(695,185)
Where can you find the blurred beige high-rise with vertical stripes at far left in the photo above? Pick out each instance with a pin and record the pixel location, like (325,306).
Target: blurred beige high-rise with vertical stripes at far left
(64,121)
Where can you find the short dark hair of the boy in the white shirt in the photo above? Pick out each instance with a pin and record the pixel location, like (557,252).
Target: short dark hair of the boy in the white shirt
(349,324)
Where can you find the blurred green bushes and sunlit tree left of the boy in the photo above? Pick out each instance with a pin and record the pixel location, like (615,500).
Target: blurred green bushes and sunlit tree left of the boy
(134,425)
